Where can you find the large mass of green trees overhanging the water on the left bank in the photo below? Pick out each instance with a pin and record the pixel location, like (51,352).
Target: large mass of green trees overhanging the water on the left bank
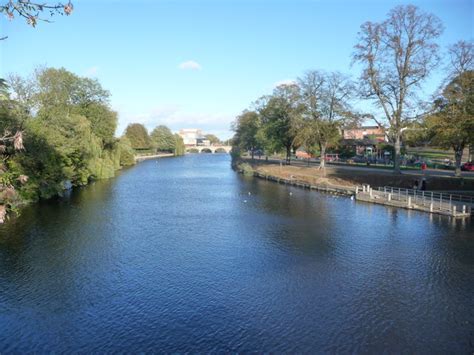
(68,142)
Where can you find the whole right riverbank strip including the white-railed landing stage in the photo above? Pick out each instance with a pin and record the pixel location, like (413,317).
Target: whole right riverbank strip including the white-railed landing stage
(382,187)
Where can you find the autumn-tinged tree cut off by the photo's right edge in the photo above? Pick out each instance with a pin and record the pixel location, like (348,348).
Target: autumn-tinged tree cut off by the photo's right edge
(452,123)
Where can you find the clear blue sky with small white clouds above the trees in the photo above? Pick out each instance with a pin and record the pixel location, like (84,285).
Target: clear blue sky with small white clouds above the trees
(198,64)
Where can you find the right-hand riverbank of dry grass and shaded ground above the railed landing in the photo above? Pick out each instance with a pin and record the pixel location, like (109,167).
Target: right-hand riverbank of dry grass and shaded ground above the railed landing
(335,177)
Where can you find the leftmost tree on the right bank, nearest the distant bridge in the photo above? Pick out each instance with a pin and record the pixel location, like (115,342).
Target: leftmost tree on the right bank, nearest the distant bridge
(246,128)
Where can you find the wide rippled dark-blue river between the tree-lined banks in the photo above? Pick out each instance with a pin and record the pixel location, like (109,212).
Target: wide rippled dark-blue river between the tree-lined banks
(185,255)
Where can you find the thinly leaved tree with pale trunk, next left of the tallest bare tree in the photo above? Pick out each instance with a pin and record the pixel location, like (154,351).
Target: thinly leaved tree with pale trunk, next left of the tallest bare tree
(325,97)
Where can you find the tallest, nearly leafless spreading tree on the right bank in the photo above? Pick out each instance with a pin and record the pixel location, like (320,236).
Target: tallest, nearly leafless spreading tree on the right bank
(397,55)
